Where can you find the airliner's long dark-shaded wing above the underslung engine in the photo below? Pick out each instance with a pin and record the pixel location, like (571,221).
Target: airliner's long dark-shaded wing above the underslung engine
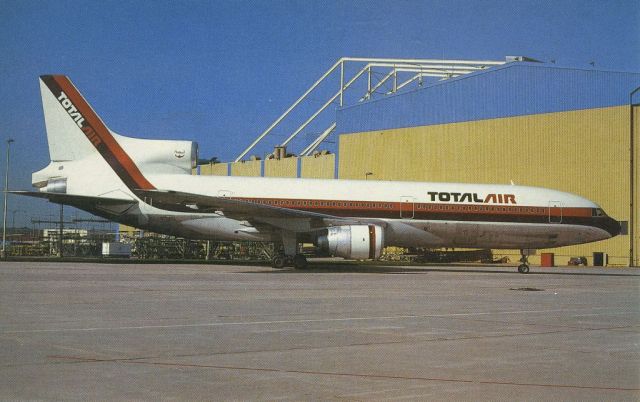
(257,214)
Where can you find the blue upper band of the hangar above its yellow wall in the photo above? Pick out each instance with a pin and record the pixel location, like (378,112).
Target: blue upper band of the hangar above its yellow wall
(513,89)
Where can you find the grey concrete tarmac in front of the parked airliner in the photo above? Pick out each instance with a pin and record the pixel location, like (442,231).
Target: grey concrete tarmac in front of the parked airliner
(83,331)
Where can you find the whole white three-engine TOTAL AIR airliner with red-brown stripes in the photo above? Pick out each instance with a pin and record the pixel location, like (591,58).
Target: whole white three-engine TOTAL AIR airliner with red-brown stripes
(149,184)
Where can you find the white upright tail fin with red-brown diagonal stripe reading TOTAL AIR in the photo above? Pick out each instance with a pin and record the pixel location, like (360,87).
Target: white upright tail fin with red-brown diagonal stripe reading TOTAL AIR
(74,131)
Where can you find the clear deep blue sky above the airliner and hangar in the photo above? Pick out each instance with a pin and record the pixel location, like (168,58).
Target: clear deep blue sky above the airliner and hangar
(219,72)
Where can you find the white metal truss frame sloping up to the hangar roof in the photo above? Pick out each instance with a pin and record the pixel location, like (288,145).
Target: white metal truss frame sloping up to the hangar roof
(412,70)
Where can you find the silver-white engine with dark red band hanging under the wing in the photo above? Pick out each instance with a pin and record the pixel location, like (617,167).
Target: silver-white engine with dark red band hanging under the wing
(357,242)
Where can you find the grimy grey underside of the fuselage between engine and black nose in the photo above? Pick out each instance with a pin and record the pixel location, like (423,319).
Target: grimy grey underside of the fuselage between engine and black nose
(492,235)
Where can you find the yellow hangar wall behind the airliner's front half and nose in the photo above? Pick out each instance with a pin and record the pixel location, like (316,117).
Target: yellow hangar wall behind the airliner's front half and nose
(585,152)
